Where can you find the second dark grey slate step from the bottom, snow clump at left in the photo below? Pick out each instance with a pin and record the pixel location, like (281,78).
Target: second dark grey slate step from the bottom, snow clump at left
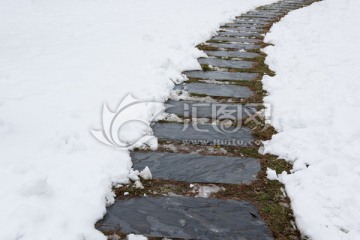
(197,168)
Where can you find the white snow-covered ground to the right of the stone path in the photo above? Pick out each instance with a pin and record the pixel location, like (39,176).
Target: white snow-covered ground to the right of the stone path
(315,97)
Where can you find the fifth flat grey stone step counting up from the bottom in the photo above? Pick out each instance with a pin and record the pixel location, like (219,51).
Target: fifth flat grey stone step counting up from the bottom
(216,90)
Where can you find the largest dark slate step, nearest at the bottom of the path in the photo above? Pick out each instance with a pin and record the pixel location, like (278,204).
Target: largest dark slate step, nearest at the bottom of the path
(186,218)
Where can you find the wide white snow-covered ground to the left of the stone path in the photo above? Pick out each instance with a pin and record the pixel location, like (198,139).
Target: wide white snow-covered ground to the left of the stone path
(59,62)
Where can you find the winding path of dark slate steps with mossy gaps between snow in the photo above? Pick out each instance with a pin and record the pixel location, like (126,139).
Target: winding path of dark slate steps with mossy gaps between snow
(213,146)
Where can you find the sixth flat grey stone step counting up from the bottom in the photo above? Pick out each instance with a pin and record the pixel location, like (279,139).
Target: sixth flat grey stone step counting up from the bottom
(217,75)
